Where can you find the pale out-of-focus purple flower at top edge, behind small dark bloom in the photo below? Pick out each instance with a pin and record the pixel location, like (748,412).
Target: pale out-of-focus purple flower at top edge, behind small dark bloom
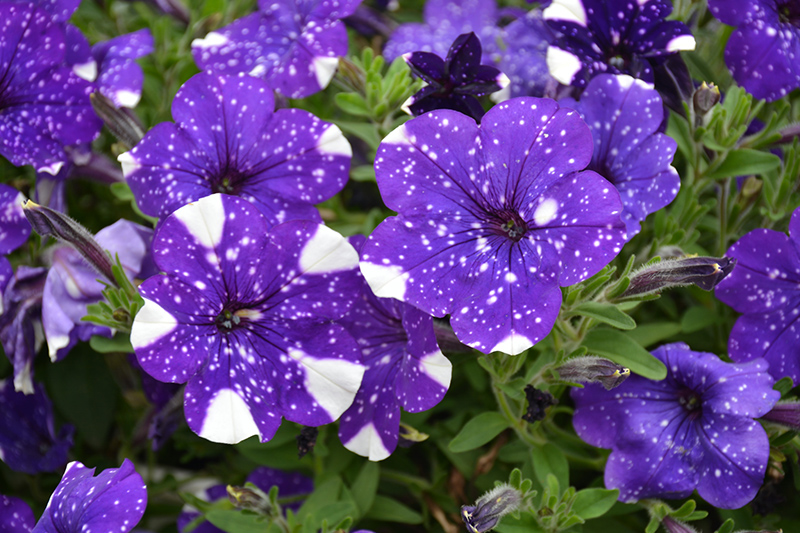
(445,20)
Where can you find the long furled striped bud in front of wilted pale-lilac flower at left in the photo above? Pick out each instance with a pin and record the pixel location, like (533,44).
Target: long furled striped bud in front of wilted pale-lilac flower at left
(50,223)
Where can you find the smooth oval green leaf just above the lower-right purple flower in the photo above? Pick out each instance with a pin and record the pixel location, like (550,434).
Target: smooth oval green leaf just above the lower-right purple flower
(623,350)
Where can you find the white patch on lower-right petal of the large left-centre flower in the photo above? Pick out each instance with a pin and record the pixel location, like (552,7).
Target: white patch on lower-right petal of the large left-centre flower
(333,383)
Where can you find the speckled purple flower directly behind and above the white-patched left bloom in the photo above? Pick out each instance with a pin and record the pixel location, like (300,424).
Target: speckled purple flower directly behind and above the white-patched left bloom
(229,140)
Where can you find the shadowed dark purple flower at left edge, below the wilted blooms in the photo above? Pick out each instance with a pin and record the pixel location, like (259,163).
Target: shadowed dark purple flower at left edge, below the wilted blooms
(28,440)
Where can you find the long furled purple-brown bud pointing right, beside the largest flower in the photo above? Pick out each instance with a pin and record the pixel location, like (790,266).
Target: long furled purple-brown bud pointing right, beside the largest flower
(705,272)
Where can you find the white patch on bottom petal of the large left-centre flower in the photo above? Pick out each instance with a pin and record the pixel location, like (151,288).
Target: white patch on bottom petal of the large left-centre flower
(228,419)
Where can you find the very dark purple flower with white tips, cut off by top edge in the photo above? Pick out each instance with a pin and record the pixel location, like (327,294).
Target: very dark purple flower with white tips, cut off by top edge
(613,36)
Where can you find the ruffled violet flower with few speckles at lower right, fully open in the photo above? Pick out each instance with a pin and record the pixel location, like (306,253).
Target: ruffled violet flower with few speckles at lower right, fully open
(693,430)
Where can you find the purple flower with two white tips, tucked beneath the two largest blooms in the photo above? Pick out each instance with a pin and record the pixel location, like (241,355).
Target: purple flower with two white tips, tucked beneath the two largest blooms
(405,368)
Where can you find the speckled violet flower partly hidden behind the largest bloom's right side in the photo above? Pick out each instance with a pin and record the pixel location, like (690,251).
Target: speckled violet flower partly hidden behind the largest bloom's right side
(625,115)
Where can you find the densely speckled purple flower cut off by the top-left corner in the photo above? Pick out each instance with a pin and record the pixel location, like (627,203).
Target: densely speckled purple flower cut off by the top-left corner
(44,106)
